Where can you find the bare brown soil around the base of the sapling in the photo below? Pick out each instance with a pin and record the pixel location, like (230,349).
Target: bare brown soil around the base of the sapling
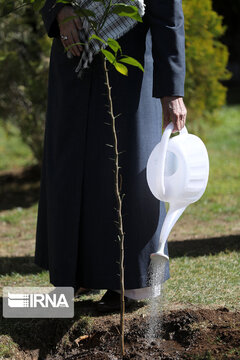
(184,334)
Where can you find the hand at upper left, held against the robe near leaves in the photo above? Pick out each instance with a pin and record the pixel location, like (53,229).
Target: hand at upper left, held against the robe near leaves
(70,29)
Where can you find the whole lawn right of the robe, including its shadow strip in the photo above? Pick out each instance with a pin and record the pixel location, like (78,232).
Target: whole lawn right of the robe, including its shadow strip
(215,262)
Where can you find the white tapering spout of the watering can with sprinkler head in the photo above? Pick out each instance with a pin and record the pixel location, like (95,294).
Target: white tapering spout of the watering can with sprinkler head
(171,218)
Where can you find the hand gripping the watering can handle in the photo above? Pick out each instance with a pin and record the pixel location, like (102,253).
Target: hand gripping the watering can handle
(174,110)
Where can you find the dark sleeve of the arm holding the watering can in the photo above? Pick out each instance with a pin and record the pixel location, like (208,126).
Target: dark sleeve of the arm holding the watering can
(166,22)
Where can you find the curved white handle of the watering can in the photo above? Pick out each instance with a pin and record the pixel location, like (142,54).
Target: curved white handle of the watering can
(164,144)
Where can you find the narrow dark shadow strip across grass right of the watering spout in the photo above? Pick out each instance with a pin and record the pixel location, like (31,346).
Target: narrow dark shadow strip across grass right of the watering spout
(201,247)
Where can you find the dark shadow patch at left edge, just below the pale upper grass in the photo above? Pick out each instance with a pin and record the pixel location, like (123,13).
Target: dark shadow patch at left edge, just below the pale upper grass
(20,189)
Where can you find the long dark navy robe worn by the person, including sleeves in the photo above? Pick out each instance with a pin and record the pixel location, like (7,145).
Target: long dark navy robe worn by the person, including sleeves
(76,235)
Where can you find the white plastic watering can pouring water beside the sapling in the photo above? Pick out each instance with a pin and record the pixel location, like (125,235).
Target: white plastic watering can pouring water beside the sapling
(177,173)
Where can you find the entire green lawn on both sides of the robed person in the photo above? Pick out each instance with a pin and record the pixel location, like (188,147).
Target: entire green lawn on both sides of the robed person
(203,246)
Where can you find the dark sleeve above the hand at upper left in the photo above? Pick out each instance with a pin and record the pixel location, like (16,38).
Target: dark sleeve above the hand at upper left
(49,13)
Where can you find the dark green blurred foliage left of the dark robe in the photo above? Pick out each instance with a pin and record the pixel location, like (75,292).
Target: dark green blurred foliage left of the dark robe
(24,61)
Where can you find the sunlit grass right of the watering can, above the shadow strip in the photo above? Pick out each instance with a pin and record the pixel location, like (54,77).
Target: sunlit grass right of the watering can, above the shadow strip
(218,211)
